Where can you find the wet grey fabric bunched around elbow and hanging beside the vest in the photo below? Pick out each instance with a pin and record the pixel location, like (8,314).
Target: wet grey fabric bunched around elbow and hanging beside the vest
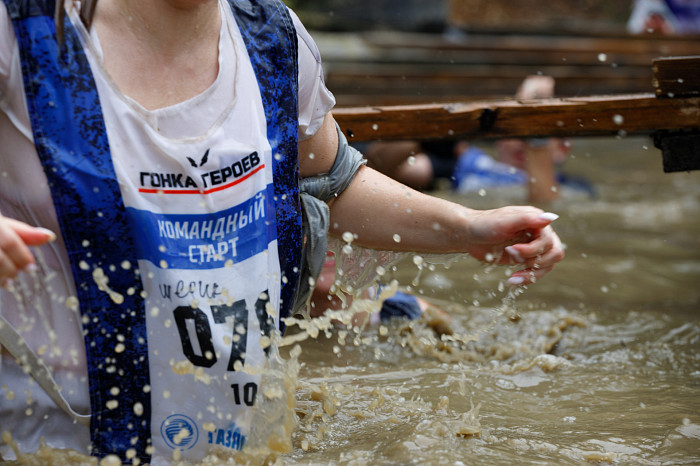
(315,192)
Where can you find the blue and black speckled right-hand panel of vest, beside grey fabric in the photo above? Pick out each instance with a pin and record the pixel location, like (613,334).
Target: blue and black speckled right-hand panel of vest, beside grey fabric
(271,41)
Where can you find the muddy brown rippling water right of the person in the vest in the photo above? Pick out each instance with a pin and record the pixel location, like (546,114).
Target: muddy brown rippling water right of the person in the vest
(599,362)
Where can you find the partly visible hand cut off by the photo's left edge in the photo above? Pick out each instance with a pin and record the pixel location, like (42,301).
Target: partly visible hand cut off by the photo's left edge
(15,239)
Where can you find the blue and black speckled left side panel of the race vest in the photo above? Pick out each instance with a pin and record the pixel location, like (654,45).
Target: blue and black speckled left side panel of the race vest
(71,141)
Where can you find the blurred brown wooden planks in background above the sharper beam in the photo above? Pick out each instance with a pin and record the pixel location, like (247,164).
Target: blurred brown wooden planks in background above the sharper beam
(387,68)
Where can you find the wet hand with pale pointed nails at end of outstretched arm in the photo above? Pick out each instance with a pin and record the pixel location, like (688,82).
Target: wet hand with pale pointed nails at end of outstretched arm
(521,235)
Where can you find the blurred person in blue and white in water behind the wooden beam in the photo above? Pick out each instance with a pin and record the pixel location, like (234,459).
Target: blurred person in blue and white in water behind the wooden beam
(531,162)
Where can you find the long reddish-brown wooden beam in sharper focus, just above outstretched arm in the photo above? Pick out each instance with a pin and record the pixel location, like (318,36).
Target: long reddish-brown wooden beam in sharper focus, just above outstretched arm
(569,117)
